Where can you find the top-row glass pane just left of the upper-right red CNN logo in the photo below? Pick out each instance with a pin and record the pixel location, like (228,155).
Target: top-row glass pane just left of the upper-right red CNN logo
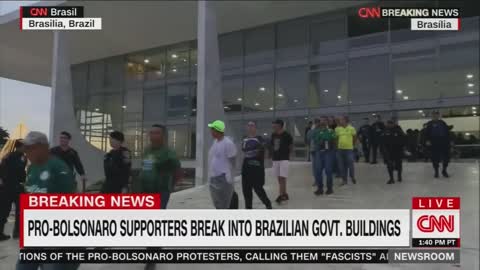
(328,37)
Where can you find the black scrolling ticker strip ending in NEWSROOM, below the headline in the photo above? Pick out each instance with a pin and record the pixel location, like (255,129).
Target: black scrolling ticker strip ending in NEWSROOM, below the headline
(317,256)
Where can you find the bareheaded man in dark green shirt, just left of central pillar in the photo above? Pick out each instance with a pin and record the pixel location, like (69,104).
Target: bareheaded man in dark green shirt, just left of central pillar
(160,167)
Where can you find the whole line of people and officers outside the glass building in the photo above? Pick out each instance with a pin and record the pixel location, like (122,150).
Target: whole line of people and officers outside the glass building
(332,143)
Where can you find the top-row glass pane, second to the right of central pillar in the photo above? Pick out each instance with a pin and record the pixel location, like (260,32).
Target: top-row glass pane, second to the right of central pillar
(259,46)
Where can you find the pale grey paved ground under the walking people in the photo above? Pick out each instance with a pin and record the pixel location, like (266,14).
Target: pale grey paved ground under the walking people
(370,192)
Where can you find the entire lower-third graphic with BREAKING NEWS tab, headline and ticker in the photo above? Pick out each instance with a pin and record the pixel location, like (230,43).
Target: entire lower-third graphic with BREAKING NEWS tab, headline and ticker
(71,227)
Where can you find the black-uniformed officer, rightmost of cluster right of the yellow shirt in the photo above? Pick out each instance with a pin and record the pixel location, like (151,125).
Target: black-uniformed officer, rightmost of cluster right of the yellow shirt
(393,141)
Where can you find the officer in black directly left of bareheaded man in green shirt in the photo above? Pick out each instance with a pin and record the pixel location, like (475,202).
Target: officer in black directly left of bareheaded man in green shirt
(117,165)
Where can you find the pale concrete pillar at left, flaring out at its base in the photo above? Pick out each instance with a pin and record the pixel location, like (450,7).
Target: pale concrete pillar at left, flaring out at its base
(62,115)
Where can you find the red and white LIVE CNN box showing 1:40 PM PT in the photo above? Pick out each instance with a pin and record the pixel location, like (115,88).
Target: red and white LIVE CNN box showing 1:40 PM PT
(436,222)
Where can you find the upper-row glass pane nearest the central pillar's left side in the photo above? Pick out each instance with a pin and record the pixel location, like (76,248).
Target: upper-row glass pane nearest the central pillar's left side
(178,61)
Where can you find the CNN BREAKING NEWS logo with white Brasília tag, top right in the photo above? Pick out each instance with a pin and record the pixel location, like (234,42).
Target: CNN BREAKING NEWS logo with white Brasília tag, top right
(421,19)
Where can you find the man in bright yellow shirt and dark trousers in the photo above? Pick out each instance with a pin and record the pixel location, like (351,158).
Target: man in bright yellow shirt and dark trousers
(346,137)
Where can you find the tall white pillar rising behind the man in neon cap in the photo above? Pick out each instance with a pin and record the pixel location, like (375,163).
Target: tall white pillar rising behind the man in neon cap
(209,90)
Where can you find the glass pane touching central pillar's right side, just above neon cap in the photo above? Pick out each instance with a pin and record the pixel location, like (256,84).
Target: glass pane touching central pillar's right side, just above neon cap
(232,94)
